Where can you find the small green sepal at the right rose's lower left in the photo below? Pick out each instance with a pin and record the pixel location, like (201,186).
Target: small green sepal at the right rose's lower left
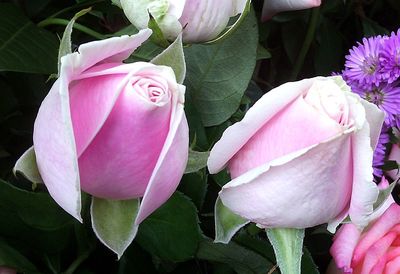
(227,223)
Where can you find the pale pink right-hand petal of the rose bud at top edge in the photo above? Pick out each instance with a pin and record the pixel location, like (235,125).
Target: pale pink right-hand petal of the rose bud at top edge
(203,20)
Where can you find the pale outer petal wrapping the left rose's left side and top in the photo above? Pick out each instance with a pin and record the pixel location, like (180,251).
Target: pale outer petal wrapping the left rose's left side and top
(53,136)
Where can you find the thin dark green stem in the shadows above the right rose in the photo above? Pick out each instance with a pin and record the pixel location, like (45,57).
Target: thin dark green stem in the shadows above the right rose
(312,26)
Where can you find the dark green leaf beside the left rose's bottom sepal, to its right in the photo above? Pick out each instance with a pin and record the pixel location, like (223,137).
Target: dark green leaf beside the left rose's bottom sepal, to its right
(172,232)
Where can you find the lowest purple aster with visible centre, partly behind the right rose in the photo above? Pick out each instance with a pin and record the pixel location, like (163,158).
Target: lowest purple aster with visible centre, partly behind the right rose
(385,96)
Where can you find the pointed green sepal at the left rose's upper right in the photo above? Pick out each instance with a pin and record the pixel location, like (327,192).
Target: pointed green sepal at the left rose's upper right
(173,57)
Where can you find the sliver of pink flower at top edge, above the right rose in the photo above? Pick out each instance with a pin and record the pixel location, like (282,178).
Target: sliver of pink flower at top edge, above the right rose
(272,7)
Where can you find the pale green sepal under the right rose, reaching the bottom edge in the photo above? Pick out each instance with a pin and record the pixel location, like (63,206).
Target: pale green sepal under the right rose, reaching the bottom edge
(288,245)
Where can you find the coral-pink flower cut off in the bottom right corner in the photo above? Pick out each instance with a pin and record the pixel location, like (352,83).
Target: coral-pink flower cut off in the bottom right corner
(375,250)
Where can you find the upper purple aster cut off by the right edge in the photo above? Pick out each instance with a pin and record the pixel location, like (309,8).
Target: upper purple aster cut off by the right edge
(390,57)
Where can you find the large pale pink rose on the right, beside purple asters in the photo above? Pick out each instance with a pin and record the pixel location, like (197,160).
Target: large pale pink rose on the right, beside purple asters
(301,156)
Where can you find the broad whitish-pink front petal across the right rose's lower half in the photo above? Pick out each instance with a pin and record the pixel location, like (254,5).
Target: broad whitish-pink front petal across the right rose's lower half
(292,191)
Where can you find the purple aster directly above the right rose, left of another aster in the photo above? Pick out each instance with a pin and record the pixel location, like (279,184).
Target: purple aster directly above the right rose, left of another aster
(362,65)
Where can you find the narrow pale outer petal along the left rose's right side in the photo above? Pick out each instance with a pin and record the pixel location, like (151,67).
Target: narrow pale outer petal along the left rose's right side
(171,162)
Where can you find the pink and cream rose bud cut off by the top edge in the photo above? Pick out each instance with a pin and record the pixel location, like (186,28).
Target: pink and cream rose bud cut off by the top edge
(199,20)
